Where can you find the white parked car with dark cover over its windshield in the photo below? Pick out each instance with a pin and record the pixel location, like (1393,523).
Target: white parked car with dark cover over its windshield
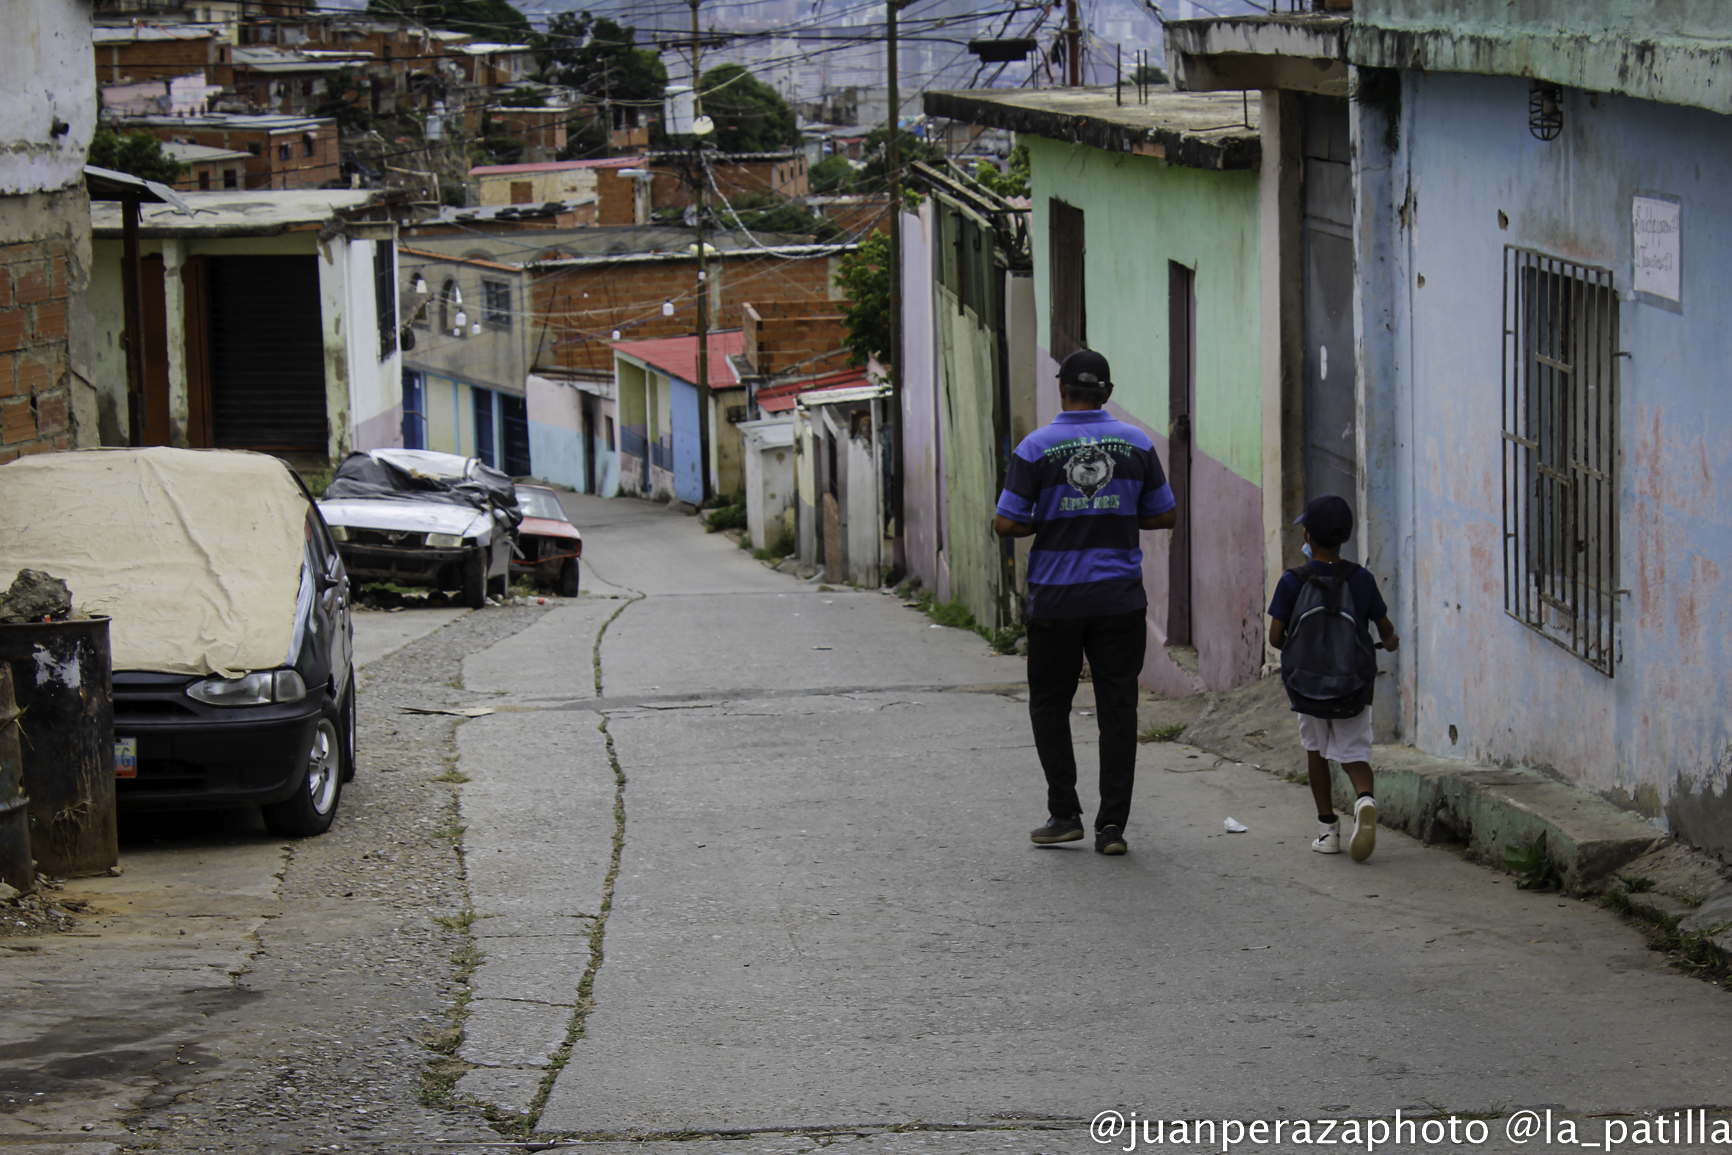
(418,517)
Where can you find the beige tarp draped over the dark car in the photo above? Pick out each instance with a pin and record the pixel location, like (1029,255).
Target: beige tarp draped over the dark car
(195,555)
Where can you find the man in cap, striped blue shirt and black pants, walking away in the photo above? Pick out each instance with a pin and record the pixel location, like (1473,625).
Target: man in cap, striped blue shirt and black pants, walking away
(1083,487)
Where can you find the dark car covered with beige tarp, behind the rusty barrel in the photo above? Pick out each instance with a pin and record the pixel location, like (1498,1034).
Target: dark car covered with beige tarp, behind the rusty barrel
(231,633)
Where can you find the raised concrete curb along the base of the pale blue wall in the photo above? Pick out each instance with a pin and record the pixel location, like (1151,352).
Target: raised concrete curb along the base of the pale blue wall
(1489,810)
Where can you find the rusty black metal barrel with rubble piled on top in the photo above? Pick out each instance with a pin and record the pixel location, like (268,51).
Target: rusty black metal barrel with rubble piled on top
(63,681)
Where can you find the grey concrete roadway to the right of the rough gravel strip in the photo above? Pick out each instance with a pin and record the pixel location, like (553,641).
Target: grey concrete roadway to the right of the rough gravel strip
(827,912)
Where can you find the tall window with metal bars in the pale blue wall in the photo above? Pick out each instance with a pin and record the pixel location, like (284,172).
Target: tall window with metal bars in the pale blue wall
(1561,453)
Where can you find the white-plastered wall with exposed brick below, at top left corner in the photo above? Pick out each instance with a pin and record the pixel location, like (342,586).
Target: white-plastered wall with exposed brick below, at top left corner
(49,115)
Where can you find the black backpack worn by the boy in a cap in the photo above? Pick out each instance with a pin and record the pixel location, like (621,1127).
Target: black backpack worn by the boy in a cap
(1328,659)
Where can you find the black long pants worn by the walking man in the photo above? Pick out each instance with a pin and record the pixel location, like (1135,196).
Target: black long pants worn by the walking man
(1115,647)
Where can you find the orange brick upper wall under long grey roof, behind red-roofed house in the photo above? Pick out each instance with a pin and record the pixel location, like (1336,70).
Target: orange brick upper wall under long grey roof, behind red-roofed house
(581,302)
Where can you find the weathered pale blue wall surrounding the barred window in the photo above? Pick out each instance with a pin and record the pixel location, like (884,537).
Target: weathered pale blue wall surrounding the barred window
(1471,181)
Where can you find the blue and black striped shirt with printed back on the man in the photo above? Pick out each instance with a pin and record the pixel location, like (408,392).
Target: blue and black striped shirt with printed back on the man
(1083,482)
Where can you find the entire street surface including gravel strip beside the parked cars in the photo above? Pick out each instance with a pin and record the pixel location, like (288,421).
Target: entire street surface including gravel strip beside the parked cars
(747,856)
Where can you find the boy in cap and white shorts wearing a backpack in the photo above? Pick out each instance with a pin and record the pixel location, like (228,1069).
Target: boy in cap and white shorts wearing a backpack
(1321,621)
